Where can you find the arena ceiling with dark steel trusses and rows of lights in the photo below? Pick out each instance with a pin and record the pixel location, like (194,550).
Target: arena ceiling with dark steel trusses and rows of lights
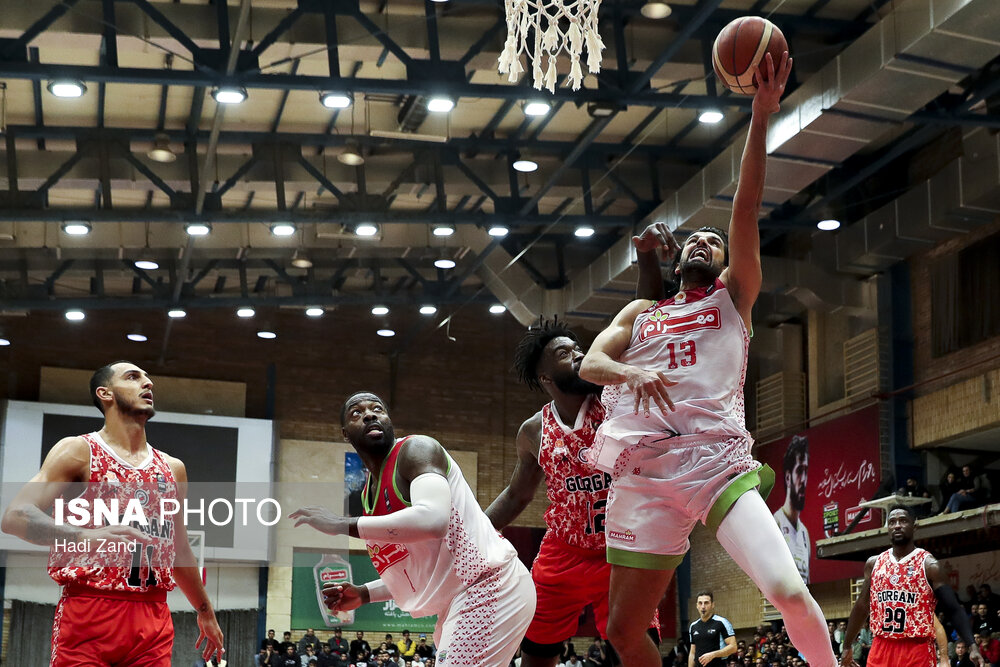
(884,95)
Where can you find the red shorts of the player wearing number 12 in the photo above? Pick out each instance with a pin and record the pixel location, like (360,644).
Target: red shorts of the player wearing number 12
(567,579)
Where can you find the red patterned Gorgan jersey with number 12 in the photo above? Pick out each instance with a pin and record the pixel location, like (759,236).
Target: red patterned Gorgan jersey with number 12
(577,492)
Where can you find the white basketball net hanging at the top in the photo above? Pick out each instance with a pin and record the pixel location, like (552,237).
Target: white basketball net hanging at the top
(540,19)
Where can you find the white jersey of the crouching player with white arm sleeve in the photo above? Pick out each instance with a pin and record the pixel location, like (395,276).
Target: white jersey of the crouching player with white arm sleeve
(425,576)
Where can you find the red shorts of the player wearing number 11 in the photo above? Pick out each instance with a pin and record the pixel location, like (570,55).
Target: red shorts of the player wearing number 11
(95,628)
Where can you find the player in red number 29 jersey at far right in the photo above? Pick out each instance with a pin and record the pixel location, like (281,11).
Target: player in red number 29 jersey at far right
(902,586)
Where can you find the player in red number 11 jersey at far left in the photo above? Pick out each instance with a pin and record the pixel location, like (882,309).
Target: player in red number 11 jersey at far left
(115,579)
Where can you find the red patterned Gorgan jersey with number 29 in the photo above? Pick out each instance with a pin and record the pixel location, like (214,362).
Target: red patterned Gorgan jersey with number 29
(902,602)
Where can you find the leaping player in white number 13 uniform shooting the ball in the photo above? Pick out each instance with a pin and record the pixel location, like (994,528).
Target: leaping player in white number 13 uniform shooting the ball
(690,460)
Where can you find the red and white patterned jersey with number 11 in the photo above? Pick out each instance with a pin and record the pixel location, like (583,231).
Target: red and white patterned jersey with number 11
(109,566)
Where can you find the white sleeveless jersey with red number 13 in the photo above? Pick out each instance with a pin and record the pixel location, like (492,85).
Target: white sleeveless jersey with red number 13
(698,340)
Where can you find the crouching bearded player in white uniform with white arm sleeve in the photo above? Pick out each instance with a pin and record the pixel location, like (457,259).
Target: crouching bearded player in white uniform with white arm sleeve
(435,550)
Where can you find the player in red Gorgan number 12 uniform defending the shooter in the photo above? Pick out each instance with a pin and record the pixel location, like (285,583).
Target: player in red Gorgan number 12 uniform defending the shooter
(571,570)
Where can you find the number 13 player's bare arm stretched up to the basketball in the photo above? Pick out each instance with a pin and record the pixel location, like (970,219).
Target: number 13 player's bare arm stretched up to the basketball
(743,276)
